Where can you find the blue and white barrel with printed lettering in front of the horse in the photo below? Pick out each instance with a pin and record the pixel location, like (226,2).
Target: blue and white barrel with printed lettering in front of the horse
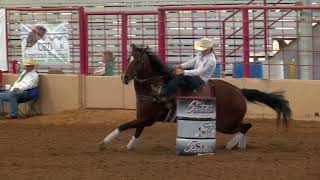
(196,125)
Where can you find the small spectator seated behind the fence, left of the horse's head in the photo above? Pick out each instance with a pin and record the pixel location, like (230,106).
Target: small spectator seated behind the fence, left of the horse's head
(107,65)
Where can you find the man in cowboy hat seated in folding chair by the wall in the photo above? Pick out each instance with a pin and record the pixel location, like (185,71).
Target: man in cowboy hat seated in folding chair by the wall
(23,89)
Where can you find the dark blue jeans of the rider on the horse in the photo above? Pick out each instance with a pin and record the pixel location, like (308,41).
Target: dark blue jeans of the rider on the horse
(191,82)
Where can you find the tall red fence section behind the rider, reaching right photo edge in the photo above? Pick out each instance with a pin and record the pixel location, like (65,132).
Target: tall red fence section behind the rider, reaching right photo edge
(250,41)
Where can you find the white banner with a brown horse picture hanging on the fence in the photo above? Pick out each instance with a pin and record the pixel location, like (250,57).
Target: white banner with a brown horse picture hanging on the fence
(47,44)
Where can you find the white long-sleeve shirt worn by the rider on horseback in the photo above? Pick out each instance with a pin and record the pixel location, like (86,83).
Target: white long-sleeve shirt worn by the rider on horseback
(201,65)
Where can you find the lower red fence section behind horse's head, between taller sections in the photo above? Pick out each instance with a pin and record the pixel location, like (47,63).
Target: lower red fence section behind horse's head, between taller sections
(116,31)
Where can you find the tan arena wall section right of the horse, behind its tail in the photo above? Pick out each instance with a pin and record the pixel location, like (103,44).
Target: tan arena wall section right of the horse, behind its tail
(302,95)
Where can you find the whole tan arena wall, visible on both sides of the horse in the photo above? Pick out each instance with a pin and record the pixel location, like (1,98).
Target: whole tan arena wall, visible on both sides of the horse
(71,92)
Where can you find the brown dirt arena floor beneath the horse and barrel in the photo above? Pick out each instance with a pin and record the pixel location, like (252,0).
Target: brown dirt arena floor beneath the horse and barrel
(64,147)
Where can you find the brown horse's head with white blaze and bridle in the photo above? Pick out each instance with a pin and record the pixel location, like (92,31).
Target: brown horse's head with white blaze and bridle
(138,65)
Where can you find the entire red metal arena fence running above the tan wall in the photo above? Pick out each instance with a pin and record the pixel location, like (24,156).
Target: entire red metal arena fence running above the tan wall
(274,42)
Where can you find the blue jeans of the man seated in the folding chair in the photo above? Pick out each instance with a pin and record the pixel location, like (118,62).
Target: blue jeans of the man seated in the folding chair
(13,98)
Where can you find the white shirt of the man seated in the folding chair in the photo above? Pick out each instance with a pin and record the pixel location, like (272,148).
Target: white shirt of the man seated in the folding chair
(26,80)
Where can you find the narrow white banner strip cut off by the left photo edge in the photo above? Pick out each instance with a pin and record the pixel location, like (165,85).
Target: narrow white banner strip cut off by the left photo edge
(3,41)
